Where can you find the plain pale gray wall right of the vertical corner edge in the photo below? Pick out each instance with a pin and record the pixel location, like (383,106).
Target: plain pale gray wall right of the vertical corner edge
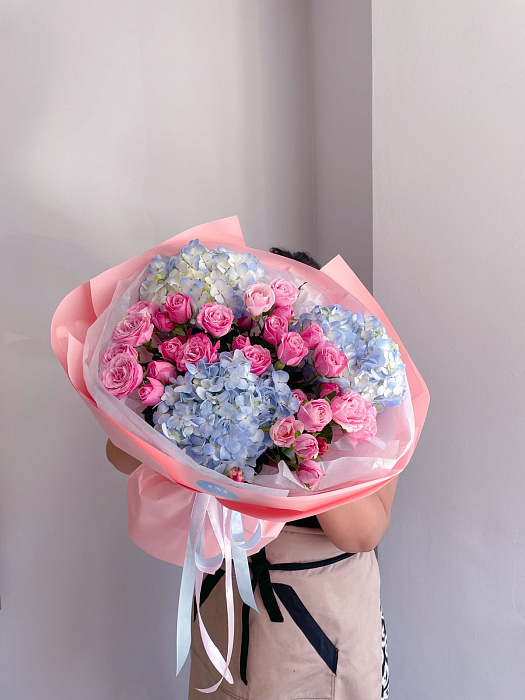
(449,211)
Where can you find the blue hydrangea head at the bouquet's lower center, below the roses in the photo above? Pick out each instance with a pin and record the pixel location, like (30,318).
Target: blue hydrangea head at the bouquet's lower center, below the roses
(216,412)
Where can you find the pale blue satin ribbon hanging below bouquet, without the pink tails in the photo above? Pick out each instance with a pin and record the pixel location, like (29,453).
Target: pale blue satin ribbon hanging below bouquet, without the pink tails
(234,531)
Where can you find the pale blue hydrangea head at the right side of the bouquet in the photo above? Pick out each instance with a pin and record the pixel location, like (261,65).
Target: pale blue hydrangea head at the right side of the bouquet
(374,367)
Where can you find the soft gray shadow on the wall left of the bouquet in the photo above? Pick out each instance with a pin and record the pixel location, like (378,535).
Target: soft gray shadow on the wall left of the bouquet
(87,614)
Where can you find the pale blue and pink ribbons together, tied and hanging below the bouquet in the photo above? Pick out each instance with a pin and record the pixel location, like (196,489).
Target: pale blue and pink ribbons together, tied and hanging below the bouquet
(229,532)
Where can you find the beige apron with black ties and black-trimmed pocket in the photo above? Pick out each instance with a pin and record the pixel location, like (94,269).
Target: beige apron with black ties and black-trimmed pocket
(344,600)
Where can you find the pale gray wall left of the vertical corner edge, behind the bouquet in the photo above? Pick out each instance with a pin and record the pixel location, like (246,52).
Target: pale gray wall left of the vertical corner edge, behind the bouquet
(123,124)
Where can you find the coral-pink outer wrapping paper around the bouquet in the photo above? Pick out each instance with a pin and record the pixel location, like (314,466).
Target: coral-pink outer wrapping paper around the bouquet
(162,490)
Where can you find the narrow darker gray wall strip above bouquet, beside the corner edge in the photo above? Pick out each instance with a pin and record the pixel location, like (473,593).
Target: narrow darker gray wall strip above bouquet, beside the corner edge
(342,82)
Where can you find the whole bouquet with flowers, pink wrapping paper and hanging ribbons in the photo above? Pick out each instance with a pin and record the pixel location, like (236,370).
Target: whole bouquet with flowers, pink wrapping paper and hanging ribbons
(254,390)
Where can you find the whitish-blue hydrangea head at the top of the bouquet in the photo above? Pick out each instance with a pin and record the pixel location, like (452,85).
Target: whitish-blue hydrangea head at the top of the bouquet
(219,275)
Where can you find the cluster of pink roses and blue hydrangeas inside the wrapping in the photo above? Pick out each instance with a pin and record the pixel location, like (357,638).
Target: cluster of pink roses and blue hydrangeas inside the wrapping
(228,371)
